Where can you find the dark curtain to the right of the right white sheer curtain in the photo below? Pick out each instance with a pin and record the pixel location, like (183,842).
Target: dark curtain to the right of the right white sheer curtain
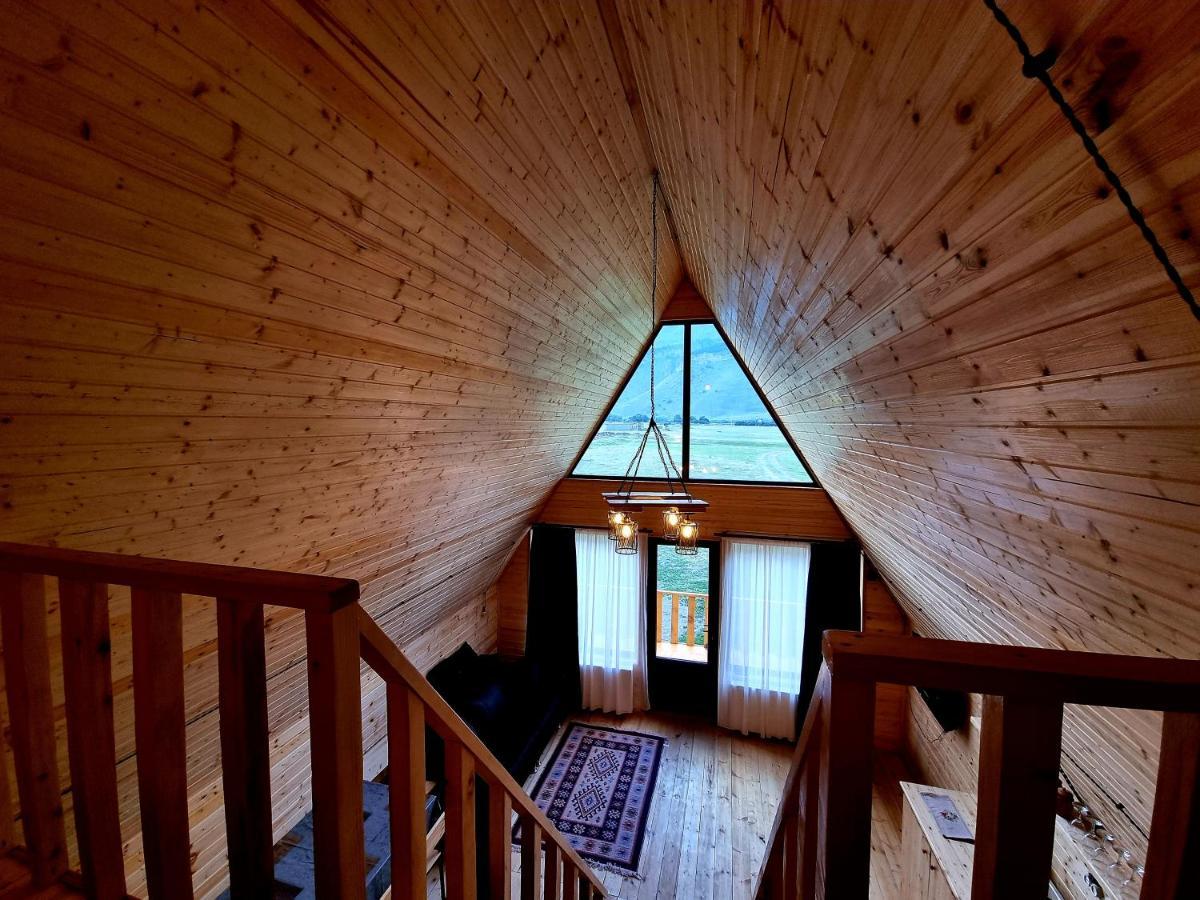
(835,603)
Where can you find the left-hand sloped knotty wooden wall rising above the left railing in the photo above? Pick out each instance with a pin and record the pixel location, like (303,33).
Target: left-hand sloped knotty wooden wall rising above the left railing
(332,289)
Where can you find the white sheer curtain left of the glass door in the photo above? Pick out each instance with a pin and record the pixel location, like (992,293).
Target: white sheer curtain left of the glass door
(613,623)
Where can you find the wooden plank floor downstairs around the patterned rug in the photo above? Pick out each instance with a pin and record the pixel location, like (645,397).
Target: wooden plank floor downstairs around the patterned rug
(713,808)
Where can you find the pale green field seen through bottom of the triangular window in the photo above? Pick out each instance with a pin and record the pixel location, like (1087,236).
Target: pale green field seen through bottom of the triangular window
(719,453)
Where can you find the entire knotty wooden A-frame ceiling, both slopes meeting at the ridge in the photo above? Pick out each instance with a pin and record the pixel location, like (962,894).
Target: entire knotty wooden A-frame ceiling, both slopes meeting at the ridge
(345,286)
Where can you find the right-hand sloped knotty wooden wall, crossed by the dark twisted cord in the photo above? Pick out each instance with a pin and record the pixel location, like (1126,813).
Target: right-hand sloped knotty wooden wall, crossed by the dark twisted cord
(951,310)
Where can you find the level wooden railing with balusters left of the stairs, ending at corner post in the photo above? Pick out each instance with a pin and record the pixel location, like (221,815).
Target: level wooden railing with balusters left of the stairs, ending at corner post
(157,598)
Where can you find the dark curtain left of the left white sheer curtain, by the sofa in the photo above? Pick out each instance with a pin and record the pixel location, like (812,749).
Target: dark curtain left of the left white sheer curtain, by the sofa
(553,637)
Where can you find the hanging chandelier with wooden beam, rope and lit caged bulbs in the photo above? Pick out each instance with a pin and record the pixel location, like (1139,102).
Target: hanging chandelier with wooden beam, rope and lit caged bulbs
(676,503)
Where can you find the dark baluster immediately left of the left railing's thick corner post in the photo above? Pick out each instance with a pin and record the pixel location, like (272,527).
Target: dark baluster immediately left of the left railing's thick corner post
(245,752)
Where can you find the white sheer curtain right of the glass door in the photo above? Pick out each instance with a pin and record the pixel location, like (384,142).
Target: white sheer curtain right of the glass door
(764,597)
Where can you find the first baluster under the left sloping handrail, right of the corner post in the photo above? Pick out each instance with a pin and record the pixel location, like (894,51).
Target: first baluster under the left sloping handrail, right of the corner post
(406,790)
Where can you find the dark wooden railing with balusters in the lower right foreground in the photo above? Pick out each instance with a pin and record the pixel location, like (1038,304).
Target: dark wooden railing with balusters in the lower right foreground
(820,844)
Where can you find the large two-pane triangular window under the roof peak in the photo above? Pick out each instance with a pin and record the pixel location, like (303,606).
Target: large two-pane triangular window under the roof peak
(717,424)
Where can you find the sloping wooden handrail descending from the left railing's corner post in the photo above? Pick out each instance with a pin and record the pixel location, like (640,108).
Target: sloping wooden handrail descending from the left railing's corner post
(391,663)
